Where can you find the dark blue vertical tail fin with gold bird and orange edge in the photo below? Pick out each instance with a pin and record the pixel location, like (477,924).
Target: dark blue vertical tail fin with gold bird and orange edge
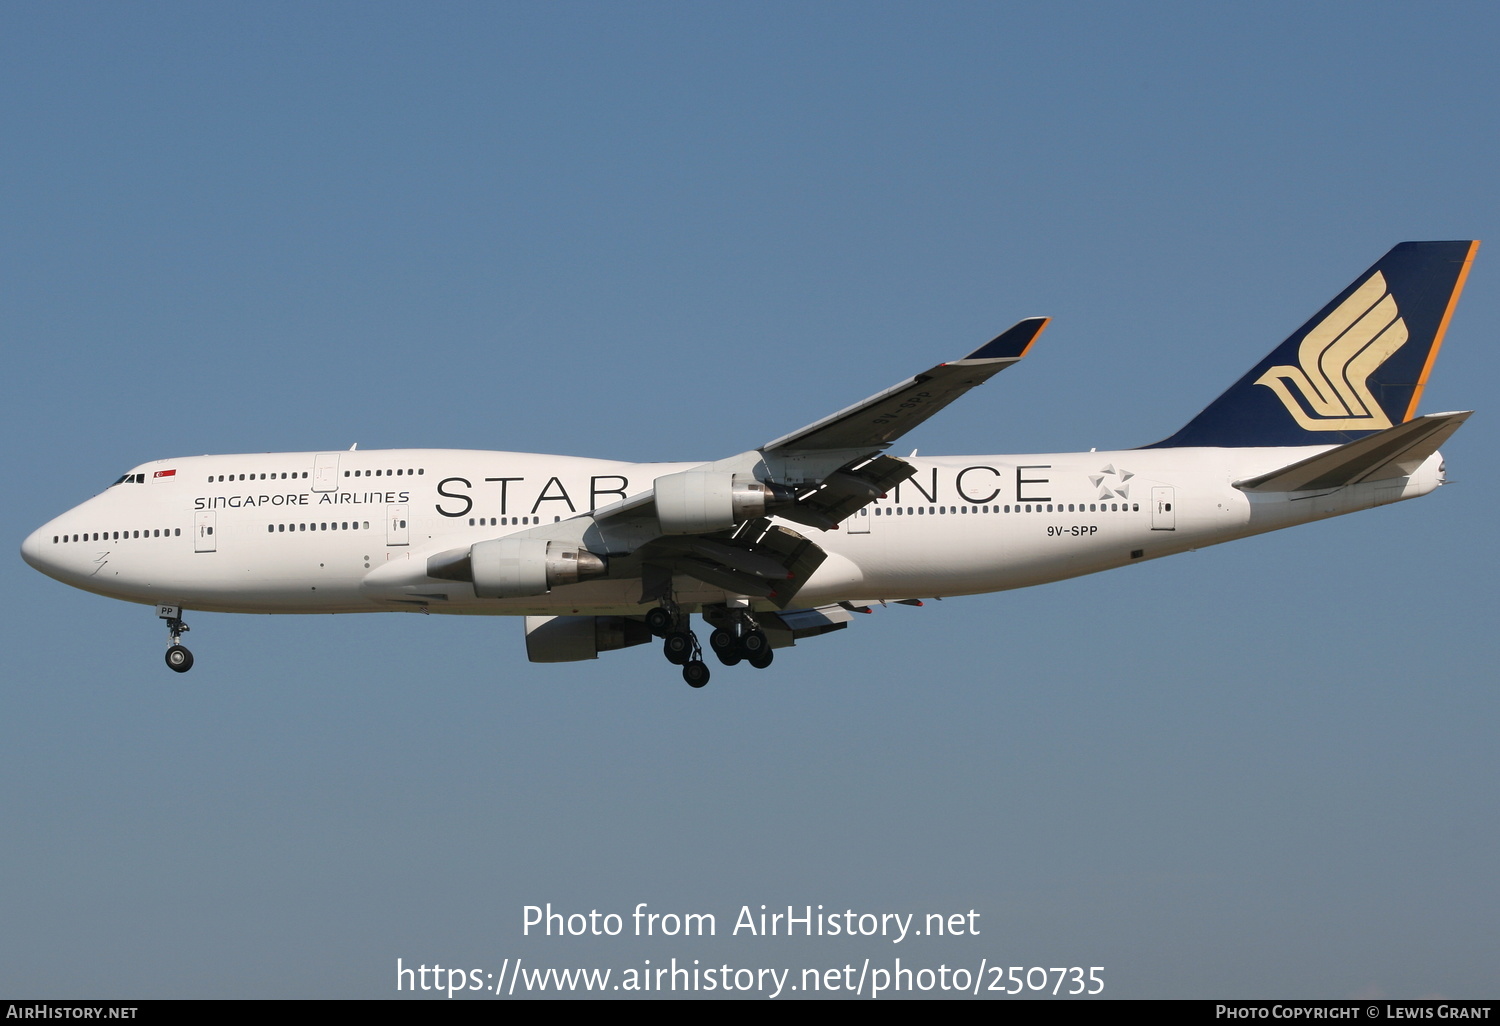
(1358,367)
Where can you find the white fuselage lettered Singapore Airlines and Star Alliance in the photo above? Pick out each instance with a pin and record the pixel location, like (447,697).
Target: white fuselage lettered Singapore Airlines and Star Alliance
(352,532)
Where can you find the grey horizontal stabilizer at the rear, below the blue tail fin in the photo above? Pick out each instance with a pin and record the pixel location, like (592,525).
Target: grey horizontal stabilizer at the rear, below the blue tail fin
(1394,452)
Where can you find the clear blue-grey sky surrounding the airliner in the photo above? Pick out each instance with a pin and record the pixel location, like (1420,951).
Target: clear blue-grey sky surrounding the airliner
(674,232)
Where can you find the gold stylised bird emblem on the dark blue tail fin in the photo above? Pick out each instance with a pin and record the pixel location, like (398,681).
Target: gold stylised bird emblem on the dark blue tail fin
(1337,358)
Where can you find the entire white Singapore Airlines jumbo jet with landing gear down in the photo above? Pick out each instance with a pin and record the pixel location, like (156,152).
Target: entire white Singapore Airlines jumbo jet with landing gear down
(787,541)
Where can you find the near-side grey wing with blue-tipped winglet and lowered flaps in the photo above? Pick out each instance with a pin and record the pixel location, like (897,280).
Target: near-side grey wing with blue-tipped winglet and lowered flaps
(715,523)
